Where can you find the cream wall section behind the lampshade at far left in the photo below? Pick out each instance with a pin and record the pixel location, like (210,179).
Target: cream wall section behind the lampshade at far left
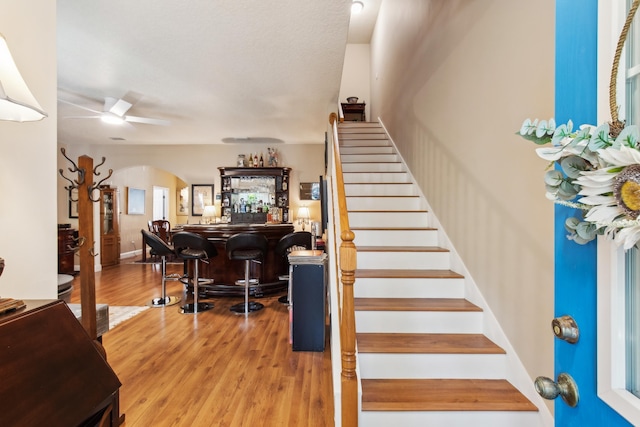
(28,241)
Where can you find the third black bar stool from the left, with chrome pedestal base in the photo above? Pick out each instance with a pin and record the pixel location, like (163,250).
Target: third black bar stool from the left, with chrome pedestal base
(246,247)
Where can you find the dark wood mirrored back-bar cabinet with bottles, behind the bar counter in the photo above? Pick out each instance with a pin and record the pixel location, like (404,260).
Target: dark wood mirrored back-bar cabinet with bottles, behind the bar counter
(250,195)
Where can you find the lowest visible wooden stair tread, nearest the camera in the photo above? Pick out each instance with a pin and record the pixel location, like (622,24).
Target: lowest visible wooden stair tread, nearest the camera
(442,395)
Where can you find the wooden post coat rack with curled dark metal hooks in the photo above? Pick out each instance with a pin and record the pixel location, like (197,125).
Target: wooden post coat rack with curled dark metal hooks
(86,242)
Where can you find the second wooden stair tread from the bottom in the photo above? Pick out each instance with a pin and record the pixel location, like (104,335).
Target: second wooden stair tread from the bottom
(426,343)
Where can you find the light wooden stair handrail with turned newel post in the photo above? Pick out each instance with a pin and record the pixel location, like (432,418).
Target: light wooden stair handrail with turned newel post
(347,259)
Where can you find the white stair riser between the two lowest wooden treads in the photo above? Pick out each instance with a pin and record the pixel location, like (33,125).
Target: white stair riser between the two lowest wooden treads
(397,365)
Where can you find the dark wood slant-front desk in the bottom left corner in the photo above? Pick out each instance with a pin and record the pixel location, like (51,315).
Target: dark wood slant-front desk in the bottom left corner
(52,371)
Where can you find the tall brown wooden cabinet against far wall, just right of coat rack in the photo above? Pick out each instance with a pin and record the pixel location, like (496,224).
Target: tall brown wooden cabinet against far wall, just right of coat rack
(109,227)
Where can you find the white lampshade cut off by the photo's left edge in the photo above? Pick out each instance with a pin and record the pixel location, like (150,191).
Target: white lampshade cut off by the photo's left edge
(17,104)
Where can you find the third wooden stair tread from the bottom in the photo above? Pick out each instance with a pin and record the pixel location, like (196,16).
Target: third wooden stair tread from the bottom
(415,304)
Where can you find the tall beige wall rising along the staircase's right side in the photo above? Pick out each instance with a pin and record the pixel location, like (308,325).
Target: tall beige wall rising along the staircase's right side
(453,80)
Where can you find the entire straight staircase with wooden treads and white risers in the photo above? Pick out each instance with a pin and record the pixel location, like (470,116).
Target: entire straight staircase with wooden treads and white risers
(423,358)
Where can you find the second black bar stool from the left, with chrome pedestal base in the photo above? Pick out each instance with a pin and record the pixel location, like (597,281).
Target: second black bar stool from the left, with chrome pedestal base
(196,247)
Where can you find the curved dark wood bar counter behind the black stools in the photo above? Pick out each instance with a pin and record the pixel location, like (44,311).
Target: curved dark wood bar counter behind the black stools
(225,272)
